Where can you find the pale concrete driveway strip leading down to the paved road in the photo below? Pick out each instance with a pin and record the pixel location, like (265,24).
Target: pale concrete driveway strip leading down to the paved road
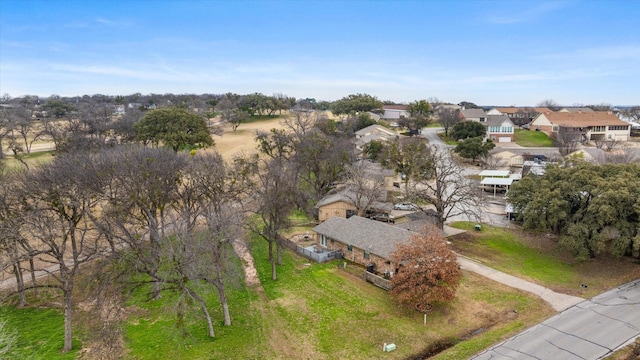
(558,301)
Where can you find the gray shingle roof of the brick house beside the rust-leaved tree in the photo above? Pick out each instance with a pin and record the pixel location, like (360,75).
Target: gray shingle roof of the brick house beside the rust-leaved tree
(375,236)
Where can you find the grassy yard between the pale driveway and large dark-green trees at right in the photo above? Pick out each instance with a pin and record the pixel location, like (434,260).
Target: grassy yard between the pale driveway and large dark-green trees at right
(539,259)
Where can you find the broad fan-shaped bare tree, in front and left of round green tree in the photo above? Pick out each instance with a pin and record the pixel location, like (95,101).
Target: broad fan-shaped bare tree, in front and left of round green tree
(139,185)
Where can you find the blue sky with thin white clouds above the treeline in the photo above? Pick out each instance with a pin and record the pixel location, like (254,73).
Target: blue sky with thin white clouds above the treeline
(487,52)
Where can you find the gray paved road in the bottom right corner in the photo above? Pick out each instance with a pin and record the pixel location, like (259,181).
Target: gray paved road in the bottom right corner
(589,330)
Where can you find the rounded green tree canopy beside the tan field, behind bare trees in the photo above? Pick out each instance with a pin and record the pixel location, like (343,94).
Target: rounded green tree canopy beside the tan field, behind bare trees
(175,128)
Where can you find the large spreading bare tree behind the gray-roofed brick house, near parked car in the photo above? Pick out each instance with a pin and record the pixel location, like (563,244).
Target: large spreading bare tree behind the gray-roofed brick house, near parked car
(440,181)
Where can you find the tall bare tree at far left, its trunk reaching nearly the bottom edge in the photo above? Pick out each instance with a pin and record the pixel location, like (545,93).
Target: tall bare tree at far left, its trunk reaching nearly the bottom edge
(58,198)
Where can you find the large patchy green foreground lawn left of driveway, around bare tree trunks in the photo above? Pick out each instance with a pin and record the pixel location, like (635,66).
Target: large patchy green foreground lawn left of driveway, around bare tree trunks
(313,311)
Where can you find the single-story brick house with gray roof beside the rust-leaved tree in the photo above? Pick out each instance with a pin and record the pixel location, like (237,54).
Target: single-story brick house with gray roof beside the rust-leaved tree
(366,242)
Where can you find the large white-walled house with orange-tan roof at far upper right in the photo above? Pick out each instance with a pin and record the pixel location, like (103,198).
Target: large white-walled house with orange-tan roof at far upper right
(584,127)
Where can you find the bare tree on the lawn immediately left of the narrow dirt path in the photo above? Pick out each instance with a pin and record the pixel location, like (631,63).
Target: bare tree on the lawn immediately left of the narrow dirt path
(211,191)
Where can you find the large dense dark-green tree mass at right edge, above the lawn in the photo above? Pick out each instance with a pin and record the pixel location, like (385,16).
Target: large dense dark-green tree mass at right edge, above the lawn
(593,208)
